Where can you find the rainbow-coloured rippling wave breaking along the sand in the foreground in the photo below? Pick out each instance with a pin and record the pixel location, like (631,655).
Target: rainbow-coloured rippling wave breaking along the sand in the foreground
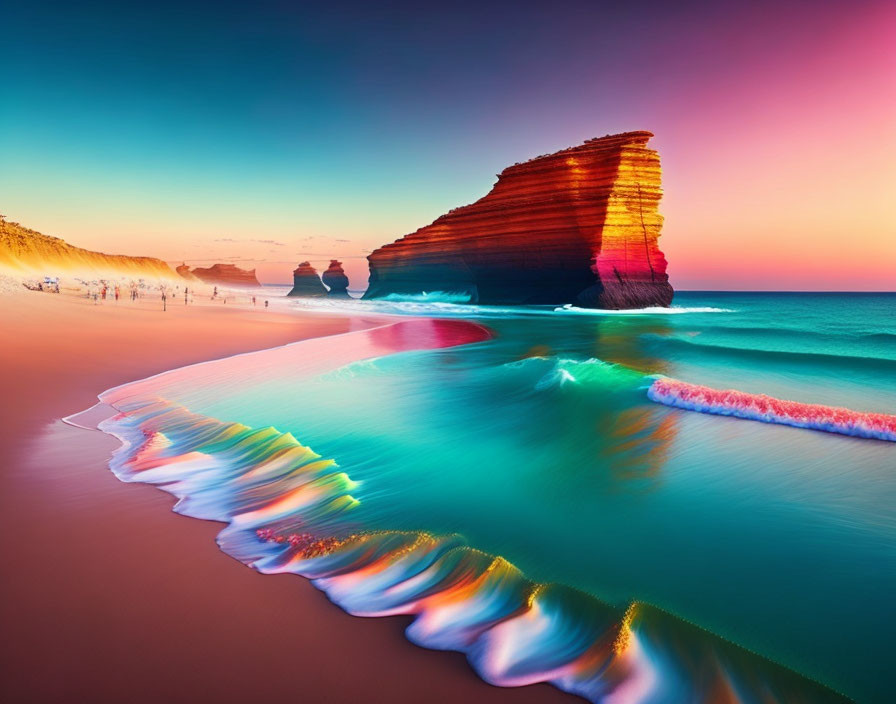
(289,510)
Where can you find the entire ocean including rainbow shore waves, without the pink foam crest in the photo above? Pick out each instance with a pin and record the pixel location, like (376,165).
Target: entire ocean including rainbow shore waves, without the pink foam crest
(514,487)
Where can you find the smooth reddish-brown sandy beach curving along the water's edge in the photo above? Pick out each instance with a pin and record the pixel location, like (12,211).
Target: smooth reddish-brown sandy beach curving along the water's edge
(108,596)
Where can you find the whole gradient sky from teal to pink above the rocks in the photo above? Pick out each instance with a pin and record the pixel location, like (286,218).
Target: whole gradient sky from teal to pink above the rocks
(267,133)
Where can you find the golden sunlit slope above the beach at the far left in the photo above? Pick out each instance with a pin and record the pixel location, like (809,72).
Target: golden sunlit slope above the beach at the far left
(30,253)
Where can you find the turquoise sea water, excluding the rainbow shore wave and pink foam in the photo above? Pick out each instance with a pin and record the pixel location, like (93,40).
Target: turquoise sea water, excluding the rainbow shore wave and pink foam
(540,445)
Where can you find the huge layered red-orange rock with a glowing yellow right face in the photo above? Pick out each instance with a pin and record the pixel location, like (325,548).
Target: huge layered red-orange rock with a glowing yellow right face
(579,226)
